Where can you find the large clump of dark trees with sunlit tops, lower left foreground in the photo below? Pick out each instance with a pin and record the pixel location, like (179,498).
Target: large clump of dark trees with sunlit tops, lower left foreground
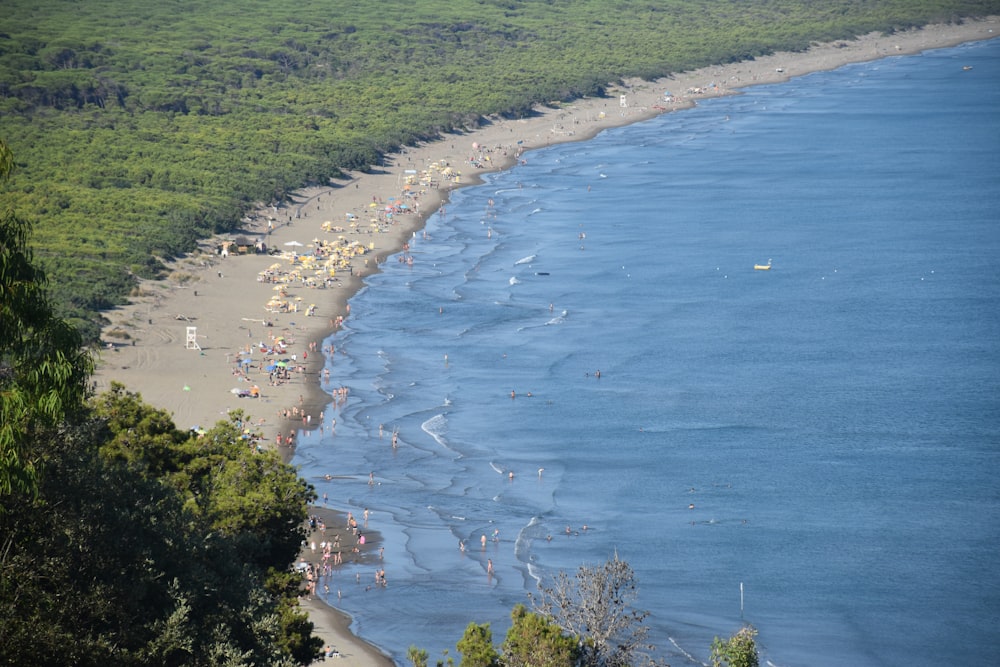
(115,562)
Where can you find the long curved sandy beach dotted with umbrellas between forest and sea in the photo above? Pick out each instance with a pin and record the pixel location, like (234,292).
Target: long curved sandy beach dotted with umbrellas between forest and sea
(232,328)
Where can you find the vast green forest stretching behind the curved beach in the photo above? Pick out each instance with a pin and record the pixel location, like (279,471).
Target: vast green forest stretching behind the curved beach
(141,126)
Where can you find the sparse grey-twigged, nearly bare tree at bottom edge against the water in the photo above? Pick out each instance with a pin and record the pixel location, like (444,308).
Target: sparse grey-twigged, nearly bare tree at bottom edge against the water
(596,605)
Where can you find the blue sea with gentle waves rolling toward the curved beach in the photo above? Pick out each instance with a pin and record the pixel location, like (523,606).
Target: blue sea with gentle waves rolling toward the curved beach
(834,422)
